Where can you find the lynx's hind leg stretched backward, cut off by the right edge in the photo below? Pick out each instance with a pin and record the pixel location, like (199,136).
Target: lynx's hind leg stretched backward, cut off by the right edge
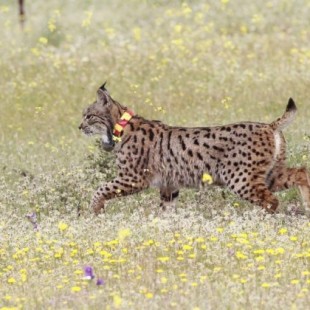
(283,178)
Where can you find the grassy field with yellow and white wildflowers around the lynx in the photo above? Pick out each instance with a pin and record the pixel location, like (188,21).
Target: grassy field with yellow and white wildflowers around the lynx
(191,64)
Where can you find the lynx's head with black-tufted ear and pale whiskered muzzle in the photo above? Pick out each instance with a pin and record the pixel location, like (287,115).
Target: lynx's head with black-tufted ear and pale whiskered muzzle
(98,118)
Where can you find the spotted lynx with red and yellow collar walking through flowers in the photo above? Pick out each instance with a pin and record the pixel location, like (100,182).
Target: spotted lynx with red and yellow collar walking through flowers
(247,157)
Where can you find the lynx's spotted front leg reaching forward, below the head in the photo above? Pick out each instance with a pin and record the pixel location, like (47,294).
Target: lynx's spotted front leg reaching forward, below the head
(116,188)
